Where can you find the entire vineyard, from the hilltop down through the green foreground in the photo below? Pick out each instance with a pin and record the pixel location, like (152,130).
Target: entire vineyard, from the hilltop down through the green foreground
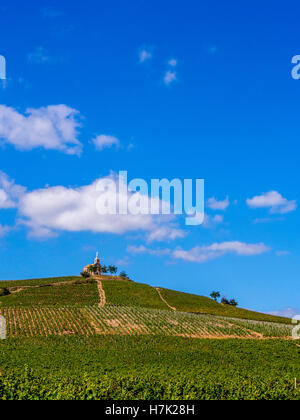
(106,338)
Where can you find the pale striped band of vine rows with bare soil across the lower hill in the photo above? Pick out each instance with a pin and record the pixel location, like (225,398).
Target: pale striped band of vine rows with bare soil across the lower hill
(118,320)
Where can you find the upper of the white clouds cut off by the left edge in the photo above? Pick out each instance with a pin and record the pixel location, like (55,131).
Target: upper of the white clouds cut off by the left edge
(53,128)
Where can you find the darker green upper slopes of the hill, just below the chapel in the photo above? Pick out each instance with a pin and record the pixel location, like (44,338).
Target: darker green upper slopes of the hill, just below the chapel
(62,291)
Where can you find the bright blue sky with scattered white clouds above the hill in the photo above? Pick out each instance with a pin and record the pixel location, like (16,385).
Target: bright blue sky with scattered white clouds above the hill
(174,90)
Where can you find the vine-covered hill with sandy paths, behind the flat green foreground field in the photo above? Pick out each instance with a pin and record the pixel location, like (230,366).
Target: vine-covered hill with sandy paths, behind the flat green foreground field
(111,306)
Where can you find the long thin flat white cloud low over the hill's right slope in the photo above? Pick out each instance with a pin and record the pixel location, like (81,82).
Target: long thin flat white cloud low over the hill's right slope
(216,250)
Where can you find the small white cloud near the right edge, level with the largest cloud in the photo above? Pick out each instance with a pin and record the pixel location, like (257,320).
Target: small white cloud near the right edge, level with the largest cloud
(274,201)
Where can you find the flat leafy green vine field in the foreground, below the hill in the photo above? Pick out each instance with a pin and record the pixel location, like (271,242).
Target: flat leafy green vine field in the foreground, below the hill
(124,367)
